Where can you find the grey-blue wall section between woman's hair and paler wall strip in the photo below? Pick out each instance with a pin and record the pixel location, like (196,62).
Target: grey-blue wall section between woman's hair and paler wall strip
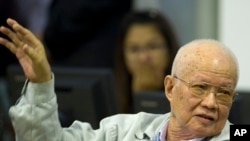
(179,12)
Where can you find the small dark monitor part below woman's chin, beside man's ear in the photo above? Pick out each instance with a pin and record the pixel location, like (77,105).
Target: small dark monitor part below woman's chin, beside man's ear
(151,102)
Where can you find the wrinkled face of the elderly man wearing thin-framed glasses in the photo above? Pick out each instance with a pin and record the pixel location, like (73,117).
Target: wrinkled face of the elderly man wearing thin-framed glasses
(200,100)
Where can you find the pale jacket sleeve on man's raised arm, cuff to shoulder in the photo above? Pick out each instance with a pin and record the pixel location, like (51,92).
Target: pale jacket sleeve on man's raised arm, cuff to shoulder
(35,118)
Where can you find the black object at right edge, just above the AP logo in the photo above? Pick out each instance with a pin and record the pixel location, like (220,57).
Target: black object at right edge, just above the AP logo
(240,111)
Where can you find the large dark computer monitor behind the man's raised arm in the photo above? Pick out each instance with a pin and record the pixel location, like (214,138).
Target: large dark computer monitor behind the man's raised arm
(85,94)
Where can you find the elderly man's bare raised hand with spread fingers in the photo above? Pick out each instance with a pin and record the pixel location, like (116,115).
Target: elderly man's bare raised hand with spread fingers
(28,49)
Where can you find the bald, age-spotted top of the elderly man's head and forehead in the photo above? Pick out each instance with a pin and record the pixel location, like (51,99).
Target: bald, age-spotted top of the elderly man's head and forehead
(205,55)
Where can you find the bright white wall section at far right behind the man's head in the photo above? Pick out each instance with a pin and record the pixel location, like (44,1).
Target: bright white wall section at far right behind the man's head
(234,31)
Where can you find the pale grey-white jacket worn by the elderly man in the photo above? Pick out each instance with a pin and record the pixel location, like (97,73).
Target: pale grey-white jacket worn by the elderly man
(35,118)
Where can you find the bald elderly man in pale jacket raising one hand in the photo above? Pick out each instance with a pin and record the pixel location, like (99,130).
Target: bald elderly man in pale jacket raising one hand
(200,90)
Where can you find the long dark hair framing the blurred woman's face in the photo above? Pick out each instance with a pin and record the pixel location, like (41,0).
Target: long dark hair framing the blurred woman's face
(123,77)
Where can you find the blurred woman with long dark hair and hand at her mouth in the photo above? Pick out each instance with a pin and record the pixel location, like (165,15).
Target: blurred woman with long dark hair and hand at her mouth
(147,45)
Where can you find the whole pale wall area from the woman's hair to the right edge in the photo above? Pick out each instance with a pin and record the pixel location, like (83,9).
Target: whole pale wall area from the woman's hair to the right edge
(226,20)
